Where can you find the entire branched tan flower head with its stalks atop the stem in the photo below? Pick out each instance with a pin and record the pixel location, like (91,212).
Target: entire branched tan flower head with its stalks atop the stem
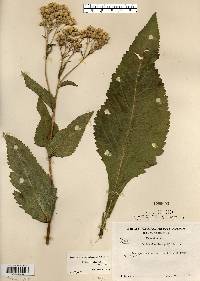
(60,30)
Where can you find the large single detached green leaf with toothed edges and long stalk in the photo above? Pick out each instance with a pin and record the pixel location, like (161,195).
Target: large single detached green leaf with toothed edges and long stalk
(131,127)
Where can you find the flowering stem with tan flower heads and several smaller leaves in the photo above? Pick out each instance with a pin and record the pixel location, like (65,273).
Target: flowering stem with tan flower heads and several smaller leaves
(35,191)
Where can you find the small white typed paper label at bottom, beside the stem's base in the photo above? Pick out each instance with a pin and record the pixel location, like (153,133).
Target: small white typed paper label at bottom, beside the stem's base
(88,262)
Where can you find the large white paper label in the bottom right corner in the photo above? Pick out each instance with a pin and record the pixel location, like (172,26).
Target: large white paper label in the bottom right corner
(156,251)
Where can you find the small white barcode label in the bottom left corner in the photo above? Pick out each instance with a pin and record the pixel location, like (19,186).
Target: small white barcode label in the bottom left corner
(16,269)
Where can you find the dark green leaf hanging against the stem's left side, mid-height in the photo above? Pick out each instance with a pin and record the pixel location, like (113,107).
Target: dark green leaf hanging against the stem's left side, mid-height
(43,130)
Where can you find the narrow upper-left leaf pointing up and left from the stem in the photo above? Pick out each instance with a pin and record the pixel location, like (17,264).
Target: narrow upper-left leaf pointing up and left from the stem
(45,95)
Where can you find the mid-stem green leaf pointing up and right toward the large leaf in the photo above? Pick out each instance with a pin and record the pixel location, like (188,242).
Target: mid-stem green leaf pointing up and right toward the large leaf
(66,140)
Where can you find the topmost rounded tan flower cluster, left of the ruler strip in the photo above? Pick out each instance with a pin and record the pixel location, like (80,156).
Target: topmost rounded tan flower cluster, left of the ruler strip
(54,15)
